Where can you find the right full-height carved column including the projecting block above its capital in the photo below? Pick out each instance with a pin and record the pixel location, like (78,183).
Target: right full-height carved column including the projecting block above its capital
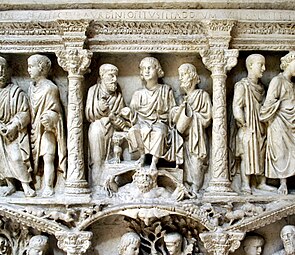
(219,59)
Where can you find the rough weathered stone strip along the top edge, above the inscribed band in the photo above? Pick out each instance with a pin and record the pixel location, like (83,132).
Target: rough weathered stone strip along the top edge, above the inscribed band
(131,4)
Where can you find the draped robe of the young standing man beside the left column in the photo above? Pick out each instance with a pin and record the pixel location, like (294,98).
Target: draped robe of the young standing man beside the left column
(44,99)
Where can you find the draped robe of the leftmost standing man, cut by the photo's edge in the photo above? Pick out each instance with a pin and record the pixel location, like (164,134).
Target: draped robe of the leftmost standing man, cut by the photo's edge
(15,155)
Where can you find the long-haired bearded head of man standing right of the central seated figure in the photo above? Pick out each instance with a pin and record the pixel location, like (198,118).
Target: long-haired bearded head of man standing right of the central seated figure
(188,77)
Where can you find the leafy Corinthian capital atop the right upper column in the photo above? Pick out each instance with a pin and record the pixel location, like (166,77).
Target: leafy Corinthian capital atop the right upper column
(219,60)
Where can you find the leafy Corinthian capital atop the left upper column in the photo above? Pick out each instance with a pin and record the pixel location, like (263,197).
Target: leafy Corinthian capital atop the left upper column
(74,61)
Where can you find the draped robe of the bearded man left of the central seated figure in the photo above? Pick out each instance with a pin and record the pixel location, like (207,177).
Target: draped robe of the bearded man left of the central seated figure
(101,129)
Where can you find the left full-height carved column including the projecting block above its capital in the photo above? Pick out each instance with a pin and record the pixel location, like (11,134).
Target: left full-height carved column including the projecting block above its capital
(75,60)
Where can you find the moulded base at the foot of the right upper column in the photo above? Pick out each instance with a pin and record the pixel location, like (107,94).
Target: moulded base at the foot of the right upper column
(219,189)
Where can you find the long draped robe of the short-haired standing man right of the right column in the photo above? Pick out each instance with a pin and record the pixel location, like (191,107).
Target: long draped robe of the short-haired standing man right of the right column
(250,139)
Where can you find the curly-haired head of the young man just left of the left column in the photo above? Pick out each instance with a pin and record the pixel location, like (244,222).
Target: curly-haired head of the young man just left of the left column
(38,66)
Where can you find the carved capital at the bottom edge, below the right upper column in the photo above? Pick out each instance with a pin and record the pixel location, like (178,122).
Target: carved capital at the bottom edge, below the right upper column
(221,243)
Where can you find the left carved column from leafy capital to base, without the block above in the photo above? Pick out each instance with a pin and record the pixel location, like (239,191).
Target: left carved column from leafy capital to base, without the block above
(76,63)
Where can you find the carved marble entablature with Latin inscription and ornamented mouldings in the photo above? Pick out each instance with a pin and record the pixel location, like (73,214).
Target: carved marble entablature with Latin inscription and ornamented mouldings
(137,31)
